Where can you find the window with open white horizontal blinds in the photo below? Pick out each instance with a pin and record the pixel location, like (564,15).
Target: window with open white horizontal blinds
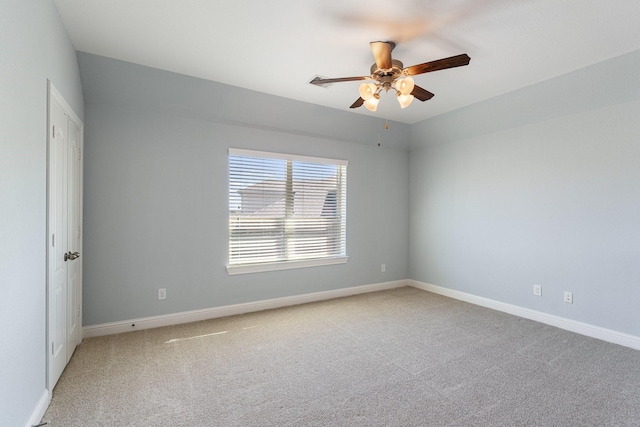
(285,211)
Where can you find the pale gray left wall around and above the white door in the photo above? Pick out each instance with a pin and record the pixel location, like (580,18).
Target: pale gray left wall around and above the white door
(33,48)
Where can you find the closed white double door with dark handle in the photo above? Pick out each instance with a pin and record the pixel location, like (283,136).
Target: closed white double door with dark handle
(64,189)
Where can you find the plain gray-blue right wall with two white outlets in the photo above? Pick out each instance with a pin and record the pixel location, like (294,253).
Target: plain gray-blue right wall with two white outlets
(542,186)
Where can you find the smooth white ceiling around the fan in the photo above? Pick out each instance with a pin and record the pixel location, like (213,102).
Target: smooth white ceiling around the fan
(277,46)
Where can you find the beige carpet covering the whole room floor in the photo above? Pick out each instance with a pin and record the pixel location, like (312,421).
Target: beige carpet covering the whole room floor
(402,357)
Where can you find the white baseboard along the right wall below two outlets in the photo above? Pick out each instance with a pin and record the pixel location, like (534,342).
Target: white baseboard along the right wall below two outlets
(592,331)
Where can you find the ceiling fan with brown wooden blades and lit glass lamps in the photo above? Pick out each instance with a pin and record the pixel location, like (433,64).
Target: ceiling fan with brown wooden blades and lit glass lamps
(388,73)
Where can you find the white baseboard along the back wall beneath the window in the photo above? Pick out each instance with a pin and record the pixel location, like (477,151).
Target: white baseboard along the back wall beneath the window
(230,310)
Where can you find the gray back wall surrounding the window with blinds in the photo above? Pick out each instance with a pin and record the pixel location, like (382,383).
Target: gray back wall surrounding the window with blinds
(156,186)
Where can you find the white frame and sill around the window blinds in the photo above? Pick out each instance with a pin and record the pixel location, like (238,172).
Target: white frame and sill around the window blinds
(286,265)
